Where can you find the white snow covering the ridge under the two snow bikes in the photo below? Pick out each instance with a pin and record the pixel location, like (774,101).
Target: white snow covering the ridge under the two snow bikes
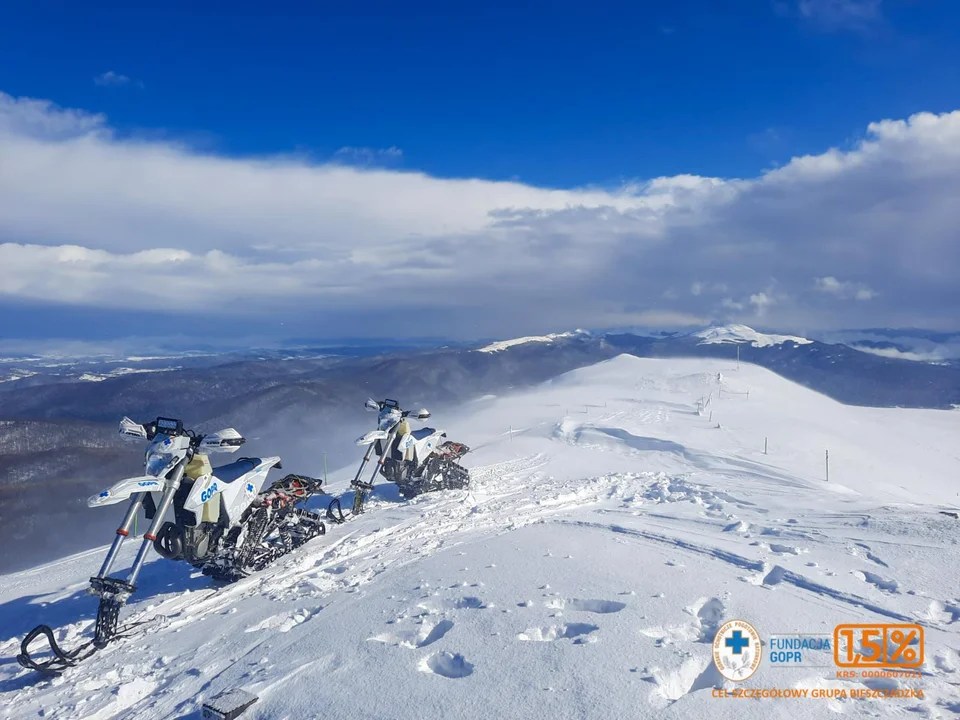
(618,515)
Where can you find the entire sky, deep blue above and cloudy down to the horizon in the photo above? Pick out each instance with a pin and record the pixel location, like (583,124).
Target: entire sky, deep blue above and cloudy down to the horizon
(476,170)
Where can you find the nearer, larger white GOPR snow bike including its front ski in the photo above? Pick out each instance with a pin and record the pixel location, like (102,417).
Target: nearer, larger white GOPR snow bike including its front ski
(223,523)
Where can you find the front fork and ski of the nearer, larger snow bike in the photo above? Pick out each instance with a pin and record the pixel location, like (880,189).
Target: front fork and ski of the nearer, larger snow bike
(113,592)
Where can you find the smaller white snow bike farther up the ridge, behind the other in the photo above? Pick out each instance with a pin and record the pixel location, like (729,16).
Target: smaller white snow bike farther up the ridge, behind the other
(418,461)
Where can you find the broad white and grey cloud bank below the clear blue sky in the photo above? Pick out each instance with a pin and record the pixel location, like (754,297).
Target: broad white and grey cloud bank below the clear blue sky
(89,219)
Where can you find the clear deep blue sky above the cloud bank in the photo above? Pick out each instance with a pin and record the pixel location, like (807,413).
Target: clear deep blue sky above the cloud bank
(563,96)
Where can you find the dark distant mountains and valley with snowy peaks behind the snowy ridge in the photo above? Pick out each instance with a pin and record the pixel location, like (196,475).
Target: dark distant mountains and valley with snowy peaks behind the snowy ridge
(58,444)
